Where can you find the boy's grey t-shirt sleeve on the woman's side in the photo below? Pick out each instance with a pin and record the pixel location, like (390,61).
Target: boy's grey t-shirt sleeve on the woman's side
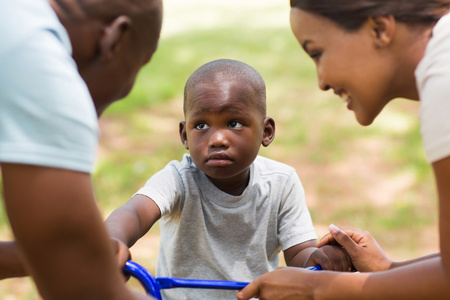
(294,220)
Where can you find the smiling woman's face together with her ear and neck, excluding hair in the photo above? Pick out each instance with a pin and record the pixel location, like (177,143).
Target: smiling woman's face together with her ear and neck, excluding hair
(341,57)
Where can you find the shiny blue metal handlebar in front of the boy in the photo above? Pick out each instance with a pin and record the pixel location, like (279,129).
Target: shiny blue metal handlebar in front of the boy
(153,285)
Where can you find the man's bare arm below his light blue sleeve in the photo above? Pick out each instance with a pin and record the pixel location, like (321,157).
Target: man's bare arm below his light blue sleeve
(60,233)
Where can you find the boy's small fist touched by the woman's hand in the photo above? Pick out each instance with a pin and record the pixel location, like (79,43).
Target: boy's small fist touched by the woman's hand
(329,257)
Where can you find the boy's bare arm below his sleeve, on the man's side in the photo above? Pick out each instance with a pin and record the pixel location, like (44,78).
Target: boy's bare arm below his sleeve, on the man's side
(132,220)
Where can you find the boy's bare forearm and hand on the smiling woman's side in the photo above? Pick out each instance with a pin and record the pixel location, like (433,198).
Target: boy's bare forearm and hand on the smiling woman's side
(307,254)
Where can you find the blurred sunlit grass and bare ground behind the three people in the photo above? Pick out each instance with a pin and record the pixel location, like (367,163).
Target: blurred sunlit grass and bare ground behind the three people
(374,178)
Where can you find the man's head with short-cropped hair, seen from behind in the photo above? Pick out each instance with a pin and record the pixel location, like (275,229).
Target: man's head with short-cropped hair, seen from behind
(111,41)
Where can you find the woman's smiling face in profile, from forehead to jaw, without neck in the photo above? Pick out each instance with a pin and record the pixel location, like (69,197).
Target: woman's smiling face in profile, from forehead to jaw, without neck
(349,63)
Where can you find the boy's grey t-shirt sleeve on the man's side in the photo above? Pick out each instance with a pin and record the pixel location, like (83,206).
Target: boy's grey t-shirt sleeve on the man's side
(165,188)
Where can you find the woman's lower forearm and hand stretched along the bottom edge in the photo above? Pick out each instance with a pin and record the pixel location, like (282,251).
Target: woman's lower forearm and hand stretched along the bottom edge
(422,280)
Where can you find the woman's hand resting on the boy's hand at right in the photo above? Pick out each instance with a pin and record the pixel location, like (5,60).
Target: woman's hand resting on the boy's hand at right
(364,251)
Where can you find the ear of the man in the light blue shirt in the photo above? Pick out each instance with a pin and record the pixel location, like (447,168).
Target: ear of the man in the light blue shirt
(113,36)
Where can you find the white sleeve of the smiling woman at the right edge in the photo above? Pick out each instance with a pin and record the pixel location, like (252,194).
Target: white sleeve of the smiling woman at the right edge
(433,81)
